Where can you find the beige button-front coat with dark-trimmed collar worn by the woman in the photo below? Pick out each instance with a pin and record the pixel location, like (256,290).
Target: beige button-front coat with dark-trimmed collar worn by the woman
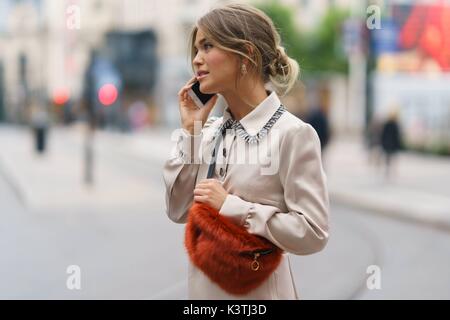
(270,164)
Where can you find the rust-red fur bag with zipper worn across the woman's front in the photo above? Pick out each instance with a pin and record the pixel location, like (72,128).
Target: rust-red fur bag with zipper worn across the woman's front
(230,256)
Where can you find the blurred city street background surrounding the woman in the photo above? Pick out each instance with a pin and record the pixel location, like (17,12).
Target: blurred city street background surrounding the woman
(88,103)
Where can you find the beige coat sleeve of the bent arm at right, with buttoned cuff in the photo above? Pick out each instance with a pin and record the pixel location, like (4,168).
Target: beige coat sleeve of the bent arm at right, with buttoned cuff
(304,228)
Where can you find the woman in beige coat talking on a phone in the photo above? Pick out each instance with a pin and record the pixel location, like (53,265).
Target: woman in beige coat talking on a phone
(236,52)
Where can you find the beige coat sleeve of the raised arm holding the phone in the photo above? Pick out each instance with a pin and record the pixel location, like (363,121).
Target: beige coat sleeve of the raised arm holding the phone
(180,173)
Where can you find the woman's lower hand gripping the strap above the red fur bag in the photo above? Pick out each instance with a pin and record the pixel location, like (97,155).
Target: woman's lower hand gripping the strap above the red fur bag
(210,192)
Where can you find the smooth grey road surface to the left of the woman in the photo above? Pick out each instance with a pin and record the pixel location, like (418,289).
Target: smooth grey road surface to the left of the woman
(119,251)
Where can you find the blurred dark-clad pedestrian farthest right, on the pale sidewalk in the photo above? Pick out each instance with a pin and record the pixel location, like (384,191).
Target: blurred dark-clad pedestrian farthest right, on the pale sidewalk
(391,140)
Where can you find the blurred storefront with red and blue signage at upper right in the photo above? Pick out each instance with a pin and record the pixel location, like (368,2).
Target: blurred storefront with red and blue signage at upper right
(412,72)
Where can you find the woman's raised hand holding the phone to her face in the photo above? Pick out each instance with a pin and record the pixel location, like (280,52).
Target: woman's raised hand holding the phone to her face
(189,111)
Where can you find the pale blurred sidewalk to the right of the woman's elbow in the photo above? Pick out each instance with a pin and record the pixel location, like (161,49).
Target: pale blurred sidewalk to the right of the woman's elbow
(416,190)
